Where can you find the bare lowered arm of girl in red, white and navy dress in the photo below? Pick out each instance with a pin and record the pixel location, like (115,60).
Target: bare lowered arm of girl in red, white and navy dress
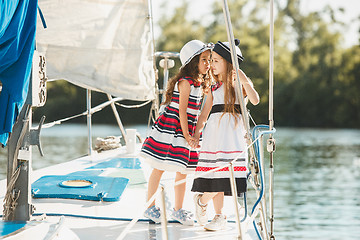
(184,89)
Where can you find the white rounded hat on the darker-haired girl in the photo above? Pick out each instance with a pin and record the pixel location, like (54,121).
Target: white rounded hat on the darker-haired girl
(191,49)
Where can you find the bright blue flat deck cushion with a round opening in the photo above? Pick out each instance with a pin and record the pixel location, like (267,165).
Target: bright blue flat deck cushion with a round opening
(108,189)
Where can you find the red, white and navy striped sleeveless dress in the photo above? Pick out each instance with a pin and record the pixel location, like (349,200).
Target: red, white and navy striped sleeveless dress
(166,148)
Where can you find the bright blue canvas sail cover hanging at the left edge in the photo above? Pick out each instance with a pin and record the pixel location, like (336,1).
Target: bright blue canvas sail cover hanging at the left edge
(17,41)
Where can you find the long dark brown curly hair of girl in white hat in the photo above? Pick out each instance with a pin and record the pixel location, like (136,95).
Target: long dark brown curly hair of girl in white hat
(189,70)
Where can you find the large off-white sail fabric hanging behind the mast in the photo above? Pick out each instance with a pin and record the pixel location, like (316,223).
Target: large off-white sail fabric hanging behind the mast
(103,45)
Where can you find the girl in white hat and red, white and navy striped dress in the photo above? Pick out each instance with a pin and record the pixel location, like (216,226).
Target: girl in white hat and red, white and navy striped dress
(168,146)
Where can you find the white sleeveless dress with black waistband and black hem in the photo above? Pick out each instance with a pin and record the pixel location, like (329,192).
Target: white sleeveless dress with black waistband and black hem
(223,141)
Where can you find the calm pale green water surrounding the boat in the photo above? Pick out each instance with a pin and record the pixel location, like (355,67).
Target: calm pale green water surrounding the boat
(317,176)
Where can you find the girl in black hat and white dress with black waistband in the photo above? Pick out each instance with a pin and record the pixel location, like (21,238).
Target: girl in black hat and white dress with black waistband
(223,138)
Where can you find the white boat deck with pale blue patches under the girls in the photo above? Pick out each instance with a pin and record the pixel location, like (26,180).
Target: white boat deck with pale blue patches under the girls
(108,219)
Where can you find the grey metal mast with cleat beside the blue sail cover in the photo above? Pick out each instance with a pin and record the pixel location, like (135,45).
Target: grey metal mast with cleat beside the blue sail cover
(18,205)
